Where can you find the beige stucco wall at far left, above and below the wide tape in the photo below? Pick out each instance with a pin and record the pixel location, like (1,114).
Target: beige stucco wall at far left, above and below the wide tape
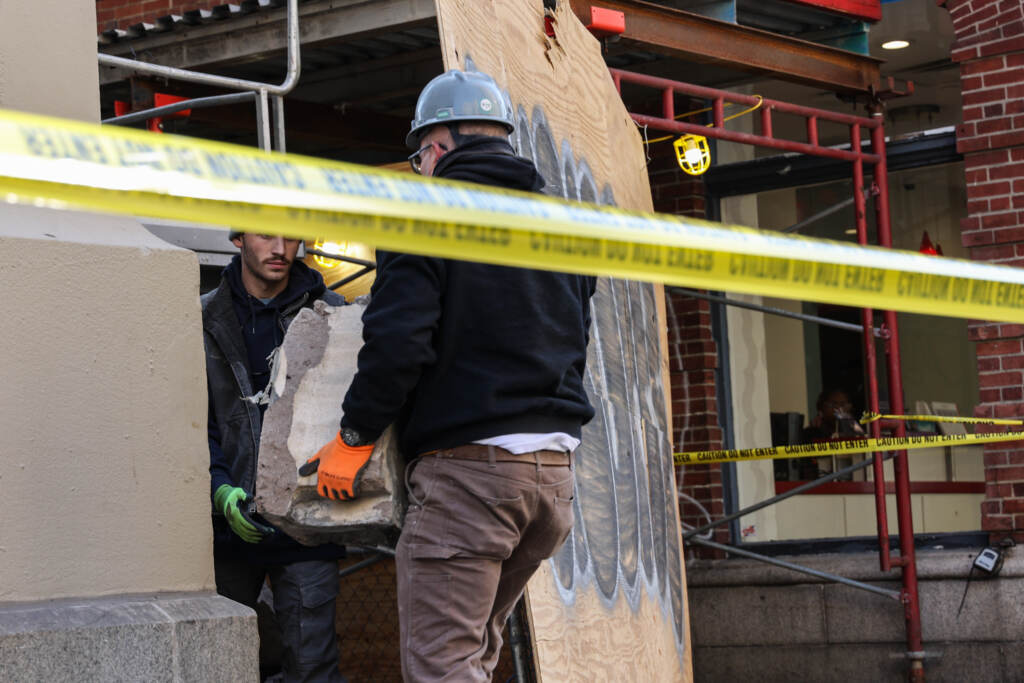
(104,464)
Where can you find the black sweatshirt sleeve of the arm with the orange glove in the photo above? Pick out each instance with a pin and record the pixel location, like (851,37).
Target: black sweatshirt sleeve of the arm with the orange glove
(399,328)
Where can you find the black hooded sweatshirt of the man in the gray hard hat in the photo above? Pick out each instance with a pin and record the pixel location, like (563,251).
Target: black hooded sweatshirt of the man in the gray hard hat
(457,352)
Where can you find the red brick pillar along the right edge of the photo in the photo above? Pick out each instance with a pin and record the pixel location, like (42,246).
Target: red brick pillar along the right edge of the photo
(990,48)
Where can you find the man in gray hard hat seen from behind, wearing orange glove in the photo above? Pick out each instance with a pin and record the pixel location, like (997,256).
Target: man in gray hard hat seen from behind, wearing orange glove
(482,367)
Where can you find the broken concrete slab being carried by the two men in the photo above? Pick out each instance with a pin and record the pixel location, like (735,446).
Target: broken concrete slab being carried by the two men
(317,363)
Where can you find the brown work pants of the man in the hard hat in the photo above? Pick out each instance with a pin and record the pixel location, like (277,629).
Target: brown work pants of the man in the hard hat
(476,533)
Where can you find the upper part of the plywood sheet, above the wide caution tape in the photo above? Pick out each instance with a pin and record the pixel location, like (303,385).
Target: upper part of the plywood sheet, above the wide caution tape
(560,88)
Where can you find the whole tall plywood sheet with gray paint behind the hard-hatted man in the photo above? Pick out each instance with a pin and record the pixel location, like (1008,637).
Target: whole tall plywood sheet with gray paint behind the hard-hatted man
(612,605)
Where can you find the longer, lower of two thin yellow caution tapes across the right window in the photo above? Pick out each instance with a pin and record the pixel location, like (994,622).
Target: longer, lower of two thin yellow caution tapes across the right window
(843,447)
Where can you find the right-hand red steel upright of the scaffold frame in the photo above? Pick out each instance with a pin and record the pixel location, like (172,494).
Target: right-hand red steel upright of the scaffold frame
(912,606)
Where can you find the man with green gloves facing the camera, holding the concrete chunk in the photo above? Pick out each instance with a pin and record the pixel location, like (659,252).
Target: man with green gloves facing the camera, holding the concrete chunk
(244,322)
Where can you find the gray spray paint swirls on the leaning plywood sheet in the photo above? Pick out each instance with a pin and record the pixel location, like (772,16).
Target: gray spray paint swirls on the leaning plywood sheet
(624,542)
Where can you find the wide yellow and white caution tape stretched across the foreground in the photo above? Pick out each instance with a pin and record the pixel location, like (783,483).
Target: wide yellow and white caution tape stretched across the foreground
(63,164)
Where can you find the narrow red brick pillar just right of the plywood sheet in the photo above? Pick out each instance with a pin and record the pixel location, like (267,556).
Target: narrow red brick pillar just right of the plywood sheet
(694,356)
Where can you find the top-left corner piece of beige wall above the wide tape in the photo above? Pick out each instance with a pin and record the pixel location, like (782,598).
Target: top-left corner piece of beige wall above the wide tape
(48,58)
